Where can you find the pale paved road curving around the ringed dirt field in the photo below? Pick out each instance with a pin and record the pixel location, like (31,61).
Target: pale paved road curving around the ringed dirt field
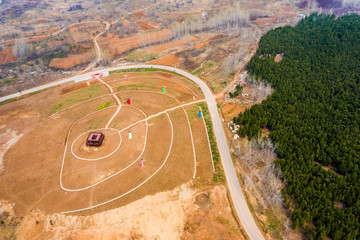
(233,183)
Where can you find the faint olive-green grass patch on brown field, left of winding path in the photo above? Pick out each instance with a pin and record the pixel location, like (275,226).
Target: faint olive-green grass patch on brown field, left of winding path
(77,97)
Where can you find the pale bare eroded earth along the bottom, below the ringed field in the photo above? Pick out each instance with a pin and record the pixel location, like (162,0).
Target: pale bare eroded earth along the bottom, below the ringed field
(203,213)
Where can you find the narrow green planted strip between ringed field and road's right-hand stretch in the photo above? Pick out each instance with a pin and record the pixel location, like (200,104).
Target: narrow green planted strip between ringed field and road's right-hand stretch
(219,175)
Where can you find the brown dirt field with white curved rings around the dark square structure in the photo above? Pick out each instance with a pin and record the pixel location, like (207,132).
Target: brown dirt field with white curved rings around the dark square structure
(42,149)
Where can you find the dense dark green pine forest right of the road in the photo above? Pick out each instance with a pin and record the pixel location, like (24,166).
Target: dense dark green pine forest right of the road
(314,117)
